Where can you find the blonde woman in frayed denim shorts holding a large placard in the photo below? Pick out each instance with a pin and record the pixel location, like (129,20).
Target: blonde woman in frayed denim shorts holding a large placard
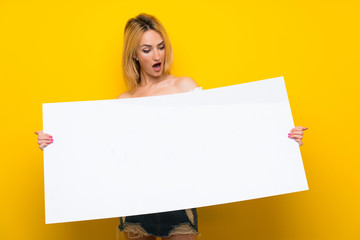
(147,57)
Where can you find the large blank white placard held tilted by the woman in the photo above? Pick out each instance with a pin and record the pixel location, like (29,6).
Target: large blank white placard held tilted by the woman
(125,157)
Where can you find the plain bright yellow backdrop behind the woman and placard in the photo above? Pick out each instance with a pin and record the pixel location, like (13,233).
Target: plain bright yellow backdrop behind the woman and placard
(59,51)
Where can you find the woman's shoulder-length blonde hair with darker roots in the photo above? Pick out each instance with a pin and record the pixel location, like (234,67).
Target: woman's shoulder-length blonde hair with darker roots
(134,29)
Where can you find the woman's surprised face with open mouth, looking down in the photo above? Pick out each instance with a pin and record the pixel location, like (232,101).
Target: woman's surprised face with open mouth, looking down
(151,54)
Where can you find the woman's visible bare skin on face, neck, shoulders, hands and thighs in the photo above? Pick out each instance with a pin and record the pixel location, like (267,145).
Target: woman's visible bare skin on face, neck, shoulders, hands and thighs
(150,51)
